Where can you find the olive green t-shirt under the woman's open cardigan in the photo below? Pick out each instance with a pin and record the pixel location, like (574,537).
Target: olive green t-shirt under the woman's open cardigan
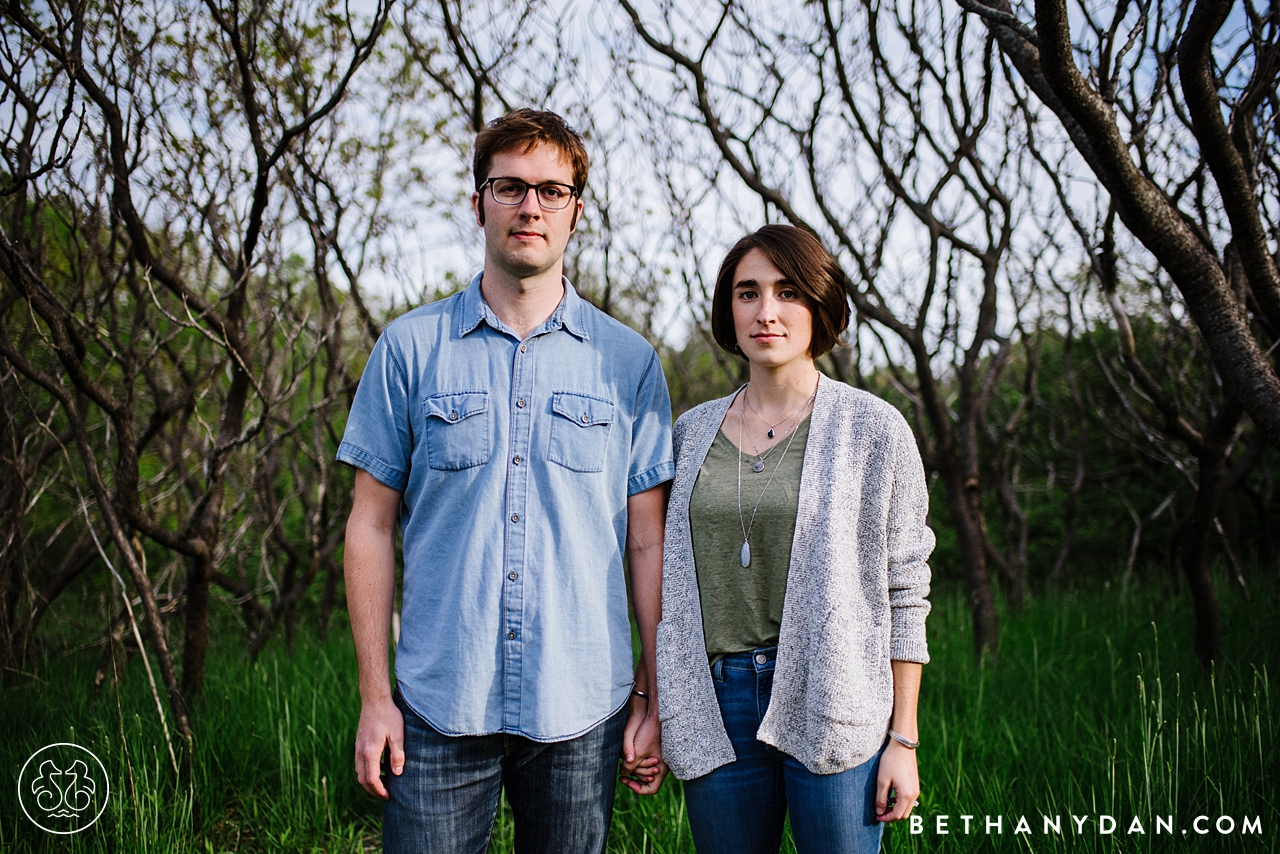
(743,606)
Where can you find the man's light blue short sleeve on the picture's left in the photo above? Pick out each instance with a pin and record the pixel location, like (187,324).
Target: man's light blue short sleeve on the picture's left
(378,437)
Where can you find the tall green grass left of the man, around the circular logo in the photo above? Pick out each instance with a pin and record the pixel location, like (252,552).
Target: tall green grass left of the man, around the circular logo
(272,757)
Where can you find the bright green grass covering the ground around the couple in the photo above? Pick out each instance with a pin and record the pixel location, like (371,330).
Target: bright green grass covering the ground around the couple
(1094,709)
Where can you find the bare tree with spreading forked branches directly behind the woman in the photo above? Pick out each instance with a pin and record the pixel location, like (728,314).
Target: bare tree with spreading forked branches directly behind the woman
(883,127)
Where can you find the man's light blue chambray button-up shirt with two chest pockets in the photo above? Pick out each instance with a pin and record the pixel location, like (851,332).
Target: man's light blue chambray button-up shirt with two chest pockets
(515,460)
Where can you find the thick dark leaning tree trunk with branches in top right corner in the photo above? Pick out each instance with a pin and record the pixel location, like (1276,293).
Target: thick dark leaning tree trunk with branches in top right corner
(1176,117)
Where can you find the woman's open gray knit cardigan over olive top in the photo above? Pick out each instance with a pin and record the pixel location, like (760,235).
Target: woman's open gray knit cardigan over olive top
(856,595)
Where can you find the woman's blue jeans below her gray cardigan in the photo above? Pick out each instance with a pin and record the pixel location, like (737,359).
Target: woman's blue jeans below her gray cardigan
(740,809)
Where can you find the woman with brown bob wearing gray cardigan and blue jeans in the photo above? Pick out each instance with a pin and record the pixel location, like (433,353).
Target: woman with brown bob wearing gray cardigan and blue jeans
(794,581)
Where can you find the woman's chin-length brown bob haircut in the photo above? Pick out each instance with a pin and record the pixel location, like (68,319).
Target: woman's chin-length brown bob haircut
(801,258)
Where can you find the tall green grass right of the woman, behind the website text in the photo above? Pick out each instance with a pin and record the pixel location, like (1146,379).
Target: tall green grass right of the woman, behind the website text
(1095,709)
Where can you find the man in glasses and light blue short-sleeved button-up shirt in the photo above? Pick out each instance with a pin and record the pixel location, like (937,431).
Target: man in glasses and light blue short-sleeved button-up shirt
(523,440)
